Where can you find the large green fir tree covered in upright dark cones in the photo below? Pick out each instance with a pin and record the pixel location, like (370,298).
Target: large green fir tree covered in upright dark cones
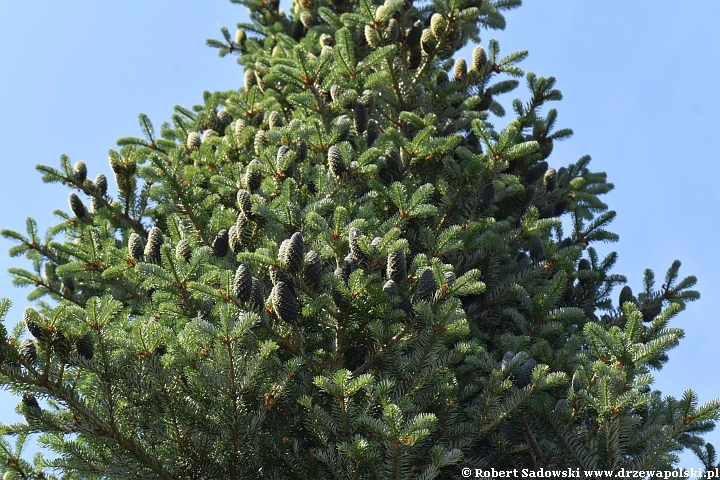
(343,270)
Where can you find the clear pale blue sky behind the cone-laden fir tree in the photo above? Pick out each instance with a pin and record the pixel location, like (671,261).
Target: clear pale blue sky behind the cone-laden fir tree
(640,85)
